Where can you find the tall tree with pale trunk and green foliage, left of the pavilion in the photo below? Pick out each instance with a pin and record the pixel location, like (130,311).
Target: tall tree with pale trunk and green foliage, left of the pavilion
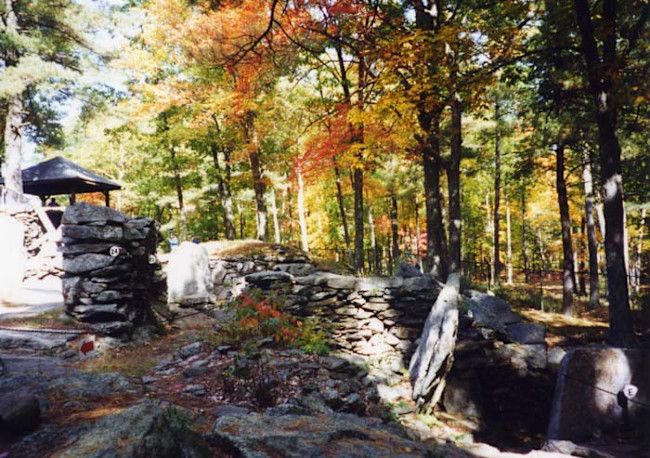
(41,42)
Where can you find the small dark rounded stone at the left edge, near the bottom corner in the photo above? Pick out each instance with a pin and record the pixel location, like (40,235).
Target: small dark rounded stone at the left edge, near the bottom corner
(20,412)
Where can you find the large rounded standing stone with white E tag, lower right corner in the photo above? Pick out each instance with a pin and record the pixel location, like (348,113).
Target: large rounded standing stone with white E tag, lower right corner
(588,397)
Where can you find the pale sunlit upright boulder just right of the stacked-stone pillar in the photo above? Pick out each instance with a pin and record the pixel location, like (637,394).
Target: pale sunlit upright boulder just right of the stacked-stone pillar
(188,274)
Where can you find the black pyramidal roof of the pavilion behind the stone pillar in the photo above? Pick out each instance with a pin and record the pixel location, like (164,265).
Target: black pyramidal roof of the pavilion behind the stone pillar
(61,176)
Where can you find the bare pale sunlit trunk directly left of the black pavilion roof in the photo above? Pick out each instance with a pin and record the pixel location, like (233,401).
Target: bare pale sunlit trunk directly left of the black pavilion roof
(11,170)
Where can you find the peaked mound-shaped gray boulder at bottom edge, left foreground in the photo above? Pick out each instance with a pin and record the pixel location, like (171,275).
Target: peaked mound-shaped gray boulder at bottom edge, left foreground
(142,430)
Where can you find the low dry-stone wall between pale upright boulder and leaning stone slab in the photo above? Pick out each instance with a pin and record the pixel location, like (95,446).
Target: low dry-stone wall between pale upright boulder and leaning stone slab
(371,317)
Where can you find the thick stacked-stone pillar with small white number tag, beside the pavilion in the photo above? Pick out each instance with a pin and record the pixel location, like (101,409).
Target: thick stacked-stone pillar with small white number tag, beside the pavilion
(112,279)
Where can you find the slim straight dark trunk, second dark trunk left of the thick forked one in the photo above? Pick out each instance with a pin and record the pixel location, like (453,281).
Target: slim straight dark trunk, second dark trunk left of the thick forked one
(568,275)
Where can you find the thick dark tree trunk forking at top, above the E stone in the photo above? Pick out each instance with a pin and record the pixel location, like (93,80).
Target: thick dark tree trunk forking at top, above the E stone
(604,76)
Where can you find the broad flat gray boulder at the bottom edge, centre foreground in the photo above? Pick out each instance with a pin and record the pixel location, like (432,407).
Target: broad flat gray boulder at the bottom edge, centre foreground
(261,436)
